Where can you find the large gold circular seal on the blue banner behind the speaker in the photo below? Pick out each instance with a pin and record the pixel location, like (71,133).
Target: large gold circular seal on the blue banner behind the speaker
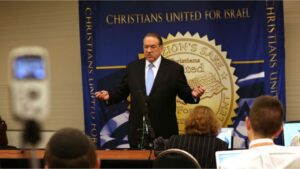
(206,65)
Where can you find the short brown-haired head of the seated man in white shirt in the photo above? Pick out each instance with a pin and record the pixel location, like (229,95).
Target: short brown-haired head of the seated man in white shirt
(265,118)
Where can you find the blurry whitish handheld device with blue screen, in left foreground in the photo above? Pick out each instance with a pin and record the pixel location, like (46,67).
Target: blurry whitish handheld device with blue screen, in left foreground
(29,83)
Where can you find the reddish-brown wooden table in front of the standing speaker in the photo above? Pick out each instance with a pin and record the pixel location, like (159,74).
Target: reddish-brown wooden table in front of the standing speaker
(109,158)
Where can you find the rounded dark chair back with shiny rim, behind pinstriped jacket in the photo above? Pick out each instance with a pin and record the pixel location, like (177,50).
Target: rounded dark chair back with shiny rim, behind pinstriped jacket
(175,158)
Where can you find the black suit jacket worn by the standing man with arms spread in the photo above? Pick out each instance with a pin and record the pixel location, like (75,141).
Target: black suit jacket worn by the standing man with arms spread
(169,82)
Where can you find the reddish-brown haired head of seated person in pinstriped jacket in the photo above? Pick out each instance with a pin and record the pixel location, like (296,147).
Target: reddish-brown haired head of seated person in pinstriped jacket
(202,121)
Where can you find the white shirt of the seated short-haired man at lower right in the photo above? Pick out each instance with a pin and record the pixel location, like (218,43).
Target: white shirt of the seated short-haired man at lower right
(264,154)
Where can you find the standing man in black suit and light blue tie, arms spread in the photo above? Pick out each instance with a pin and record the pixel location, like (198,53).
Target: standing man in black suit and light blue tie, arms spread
(160,96)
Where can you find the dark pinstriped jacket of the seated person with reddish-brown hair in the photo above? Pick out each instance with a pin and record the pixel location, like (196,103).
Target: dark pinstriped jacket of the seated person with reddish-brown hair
(203,148)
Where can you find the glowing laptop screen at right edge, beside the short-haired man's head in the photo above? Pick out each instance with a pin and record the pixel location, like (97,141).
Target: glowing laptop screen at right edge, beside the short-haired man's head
(290,129)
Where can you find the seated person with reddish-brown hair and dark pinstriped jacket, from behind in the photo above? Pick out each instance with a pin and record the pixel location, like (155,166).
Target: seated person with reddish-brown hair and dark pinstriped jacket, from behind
(201,129)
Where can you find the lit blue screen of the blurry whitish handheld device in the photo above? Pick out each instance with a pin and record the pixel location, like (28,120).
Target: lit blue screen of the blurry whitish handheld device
(29,67)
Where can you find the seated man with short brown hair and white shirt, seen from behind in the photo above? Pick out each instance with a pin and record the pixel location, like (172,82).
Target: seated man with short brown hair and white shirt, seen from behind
(264,123)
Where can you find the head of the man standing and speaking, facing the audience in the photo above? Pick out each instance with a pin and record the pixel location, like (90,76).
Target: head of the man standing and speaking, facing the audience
(153,46)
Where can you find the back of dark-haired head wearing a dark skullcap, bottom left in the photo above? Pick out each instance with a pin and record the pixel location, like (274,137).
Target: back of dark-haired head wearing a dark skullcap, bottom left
(70,148)
